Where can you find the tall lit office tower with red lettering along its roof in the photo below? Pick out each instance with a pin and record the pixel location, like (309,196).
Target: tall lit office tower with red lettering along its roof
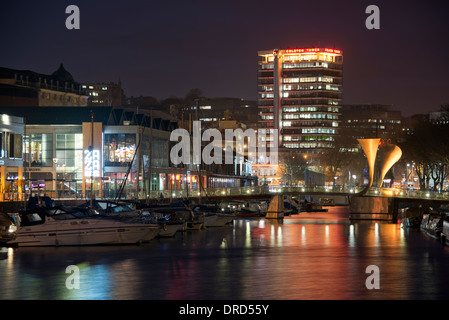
(299,94)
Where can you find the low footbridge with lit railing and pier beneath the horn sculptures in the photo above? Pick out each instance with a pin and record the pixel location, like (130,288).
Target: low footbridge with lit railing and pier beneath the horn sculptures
(374,203)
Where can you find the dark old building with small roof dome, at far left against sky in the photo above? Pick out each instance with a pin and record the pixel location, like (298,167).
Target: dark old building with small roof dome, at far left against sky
(28,88)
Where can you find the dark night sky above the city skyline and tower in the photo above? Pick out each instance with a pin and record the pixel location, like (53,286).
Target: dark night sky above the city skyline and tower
(166,48)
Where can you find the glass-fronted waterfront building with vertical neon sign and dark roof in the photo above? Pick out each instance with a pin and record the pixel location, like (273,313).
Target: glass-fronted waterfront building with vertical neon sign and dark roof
(60,152)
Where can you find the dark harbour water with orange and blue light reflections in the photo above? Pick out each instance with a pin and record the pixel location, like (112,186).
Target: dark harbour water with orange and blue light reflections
(312,256)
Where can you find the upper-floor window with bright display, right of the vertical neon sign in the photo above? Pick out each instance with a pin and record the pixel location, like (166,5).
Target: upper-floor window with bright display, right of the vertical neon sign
(119,149)
